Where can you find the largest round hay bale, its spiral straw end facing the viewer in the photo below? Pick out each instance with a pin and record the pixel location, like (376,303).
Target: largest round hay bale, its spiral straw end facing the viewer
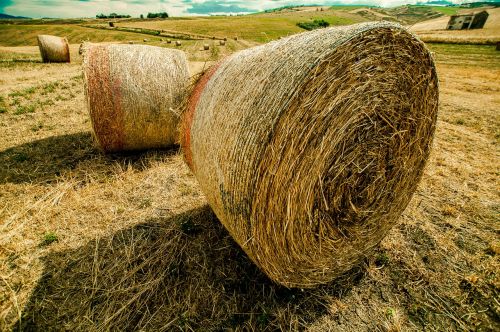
(309,148)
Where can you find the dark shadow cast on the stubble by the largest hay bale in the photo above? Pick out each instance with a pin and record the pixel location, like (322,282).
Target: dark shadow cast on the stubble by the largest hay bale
(178,273)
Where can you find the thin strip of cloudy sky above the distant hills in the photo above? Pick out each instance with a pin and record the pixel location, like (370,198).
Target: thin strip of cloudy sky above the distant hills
(89,8)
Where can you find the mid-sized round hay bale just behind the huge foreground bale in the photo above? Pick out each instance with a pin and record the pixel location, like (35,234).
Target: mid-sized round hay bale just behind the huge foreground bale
(133,95)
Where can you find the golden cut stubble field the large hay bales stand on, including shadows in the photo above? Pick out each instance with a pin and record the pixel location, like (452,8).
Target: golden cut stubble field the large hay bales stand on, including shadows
(128,242)
